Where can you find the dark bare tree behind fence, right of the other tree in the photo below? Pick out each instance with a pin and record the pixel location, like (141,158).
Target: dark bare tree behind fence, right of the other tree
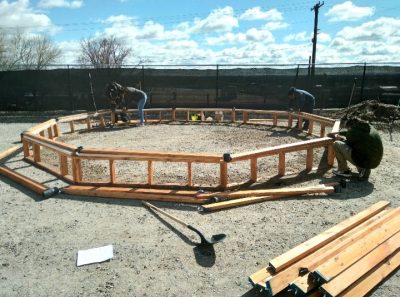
(103,52)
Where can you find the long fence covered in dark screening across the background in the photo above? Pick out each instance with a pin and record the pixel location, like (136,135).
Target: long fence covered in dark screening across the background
(67,87)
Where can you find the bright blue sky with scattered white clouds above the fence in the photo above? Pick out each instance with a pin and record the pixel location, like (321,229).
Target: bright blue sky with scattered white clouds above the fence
(219,31)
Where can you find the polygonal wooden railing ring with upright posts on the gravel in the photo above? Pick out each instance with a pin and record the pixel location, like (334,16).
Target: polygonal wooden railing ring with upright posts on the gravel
(70,164)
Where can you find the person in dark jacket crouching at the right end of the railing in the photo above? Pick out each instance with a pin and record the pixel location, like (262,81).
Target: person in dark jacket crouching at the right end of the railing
(361,145)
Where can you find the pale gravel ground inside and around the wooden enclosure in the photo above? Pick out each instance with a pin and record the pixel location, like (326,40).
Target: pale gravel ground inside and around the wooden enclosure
(154,256)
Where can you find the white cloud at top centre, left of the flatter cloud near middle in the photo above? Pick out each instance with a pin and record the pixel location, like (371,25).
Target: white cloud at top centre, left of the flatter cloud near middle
(218,20)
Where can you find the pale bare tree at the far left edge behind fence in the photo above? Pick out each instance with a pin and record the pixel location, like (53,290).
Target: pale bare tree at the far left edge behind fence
(30,52)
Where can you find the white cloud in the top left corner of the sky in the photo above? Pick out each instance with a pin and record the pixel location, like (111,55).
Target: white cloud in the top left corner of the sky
(18,15)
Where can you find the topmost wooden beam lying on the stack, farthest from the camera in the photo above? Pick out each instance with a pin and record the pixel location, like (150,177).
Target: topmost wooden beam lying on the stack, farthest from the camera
(323,238)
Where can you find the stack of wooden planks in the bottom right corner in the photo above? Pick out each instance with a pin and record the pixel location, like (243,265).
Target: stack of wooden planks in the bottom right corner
(349,259)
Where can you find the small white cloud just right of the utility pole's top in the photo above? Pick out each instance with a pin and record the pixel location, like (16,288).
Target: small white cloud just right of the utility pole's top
(347,11)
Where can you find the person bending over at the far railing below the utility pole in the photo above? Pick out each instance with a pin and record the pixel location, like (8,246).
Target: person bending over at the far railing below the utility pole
(303,101)
